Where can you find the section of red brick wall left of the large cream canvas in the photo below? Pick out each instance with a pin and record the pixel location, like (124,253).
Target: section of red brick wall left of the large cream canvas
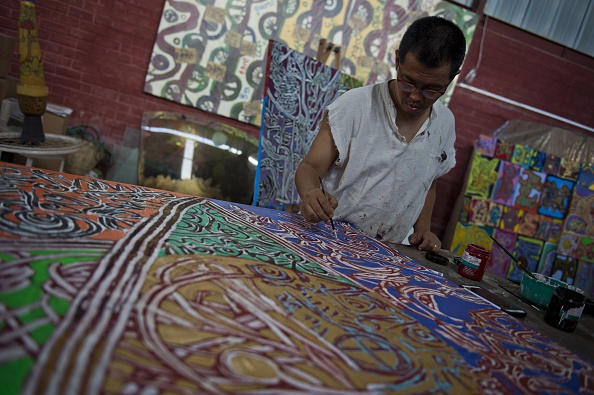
(95,57)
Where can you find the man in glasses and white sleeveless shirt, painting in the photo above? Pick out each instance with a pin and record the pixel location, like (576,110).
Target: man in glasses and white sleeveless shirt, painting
(380,148)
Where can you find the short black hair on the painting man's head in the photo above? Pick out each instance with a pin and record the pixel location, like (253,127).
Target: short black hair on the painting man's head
(434,41)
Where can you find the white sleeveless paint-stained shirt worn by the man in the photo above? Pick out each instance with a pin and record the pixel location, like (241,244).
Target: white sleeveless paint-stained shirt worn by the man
(379,179)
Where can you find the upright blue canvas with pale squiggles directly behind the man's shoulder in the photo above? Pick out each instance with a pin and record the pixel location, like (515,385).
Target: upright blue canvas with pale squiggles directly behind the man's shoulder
(298,90)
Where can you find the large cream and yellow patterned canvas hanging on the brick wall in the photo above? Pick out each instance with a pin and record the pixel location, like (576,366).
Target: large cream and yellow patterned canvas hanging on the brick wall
(212,55)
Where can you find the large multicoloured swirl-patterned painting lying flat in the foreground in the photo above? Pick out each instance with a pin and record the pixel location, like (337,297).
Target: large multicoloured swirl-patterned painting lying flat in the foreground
(115,288)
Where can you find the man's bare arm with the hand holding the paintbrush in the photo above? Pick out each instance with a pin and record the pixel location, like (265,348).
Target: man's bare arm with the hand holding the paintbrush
(315,206)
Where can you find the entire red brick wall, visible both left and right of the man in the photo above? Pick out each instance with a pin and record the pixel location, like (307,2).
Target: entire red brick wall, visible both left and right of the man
(96,54)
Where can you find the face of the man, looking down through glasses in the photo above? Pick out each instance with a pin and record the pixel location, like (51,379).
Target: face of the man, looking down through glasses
(413,74)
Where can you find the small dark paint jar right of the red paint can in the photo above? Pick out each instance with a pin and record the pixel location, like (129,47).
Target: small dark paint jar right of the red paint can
(565,308)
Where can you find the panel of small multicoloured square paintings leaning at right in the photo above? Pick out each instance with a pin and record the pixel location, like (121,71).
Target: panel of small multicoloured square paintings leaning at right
(538,206)
